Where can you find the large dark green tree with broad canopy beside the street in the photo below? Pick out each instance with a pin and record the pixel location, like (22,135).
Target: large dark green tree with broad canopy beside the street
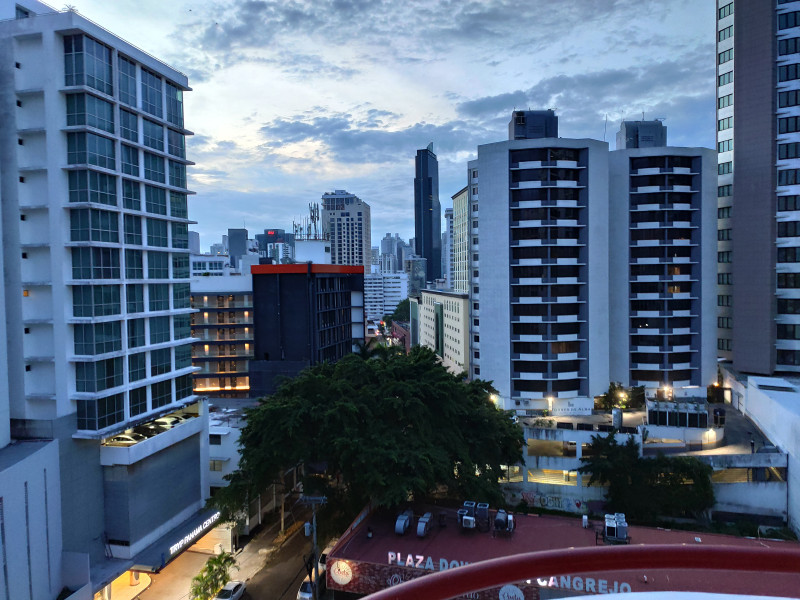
(389,426)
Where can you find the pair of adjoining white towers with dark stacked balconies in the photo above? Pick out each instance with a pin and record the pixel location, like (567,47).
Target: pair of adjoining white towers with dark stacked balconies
(564,308)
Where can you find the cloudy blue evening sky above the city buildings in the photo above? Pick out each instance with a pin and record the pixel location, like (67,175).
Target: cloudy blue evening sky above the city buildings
(292,99)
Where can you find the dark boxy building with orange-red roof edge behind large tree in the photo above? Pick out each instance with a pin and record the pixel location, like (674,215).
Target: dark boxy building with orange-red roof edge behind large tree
(303,314)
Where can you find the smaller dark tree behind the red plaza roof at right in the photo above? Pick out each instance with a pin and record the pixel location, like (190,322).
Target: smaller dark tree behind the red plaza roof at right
(647,488)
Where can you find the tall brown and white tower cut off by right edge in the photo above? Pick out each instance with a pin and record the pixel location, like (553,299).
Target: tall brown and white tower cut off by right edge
(758,136)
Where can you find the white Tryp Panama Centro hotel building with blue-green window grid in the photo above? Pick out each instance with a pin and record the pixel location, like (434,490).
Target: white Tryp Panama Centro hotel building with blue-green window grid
(96,301)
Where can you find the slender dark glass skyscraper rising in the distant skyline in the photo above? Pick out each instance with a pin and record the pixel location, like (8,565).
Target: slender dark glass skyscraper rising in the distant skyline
(428,212)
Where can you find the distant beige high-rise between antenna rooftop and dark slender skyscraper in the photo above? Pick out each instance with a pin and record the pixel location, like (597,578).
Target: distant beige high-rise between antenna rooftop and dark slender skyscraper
(346,218)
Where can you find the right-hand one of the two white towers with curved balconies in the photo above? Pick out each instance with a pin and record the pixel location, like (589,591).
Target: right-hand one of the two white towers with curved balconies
(664,197)
